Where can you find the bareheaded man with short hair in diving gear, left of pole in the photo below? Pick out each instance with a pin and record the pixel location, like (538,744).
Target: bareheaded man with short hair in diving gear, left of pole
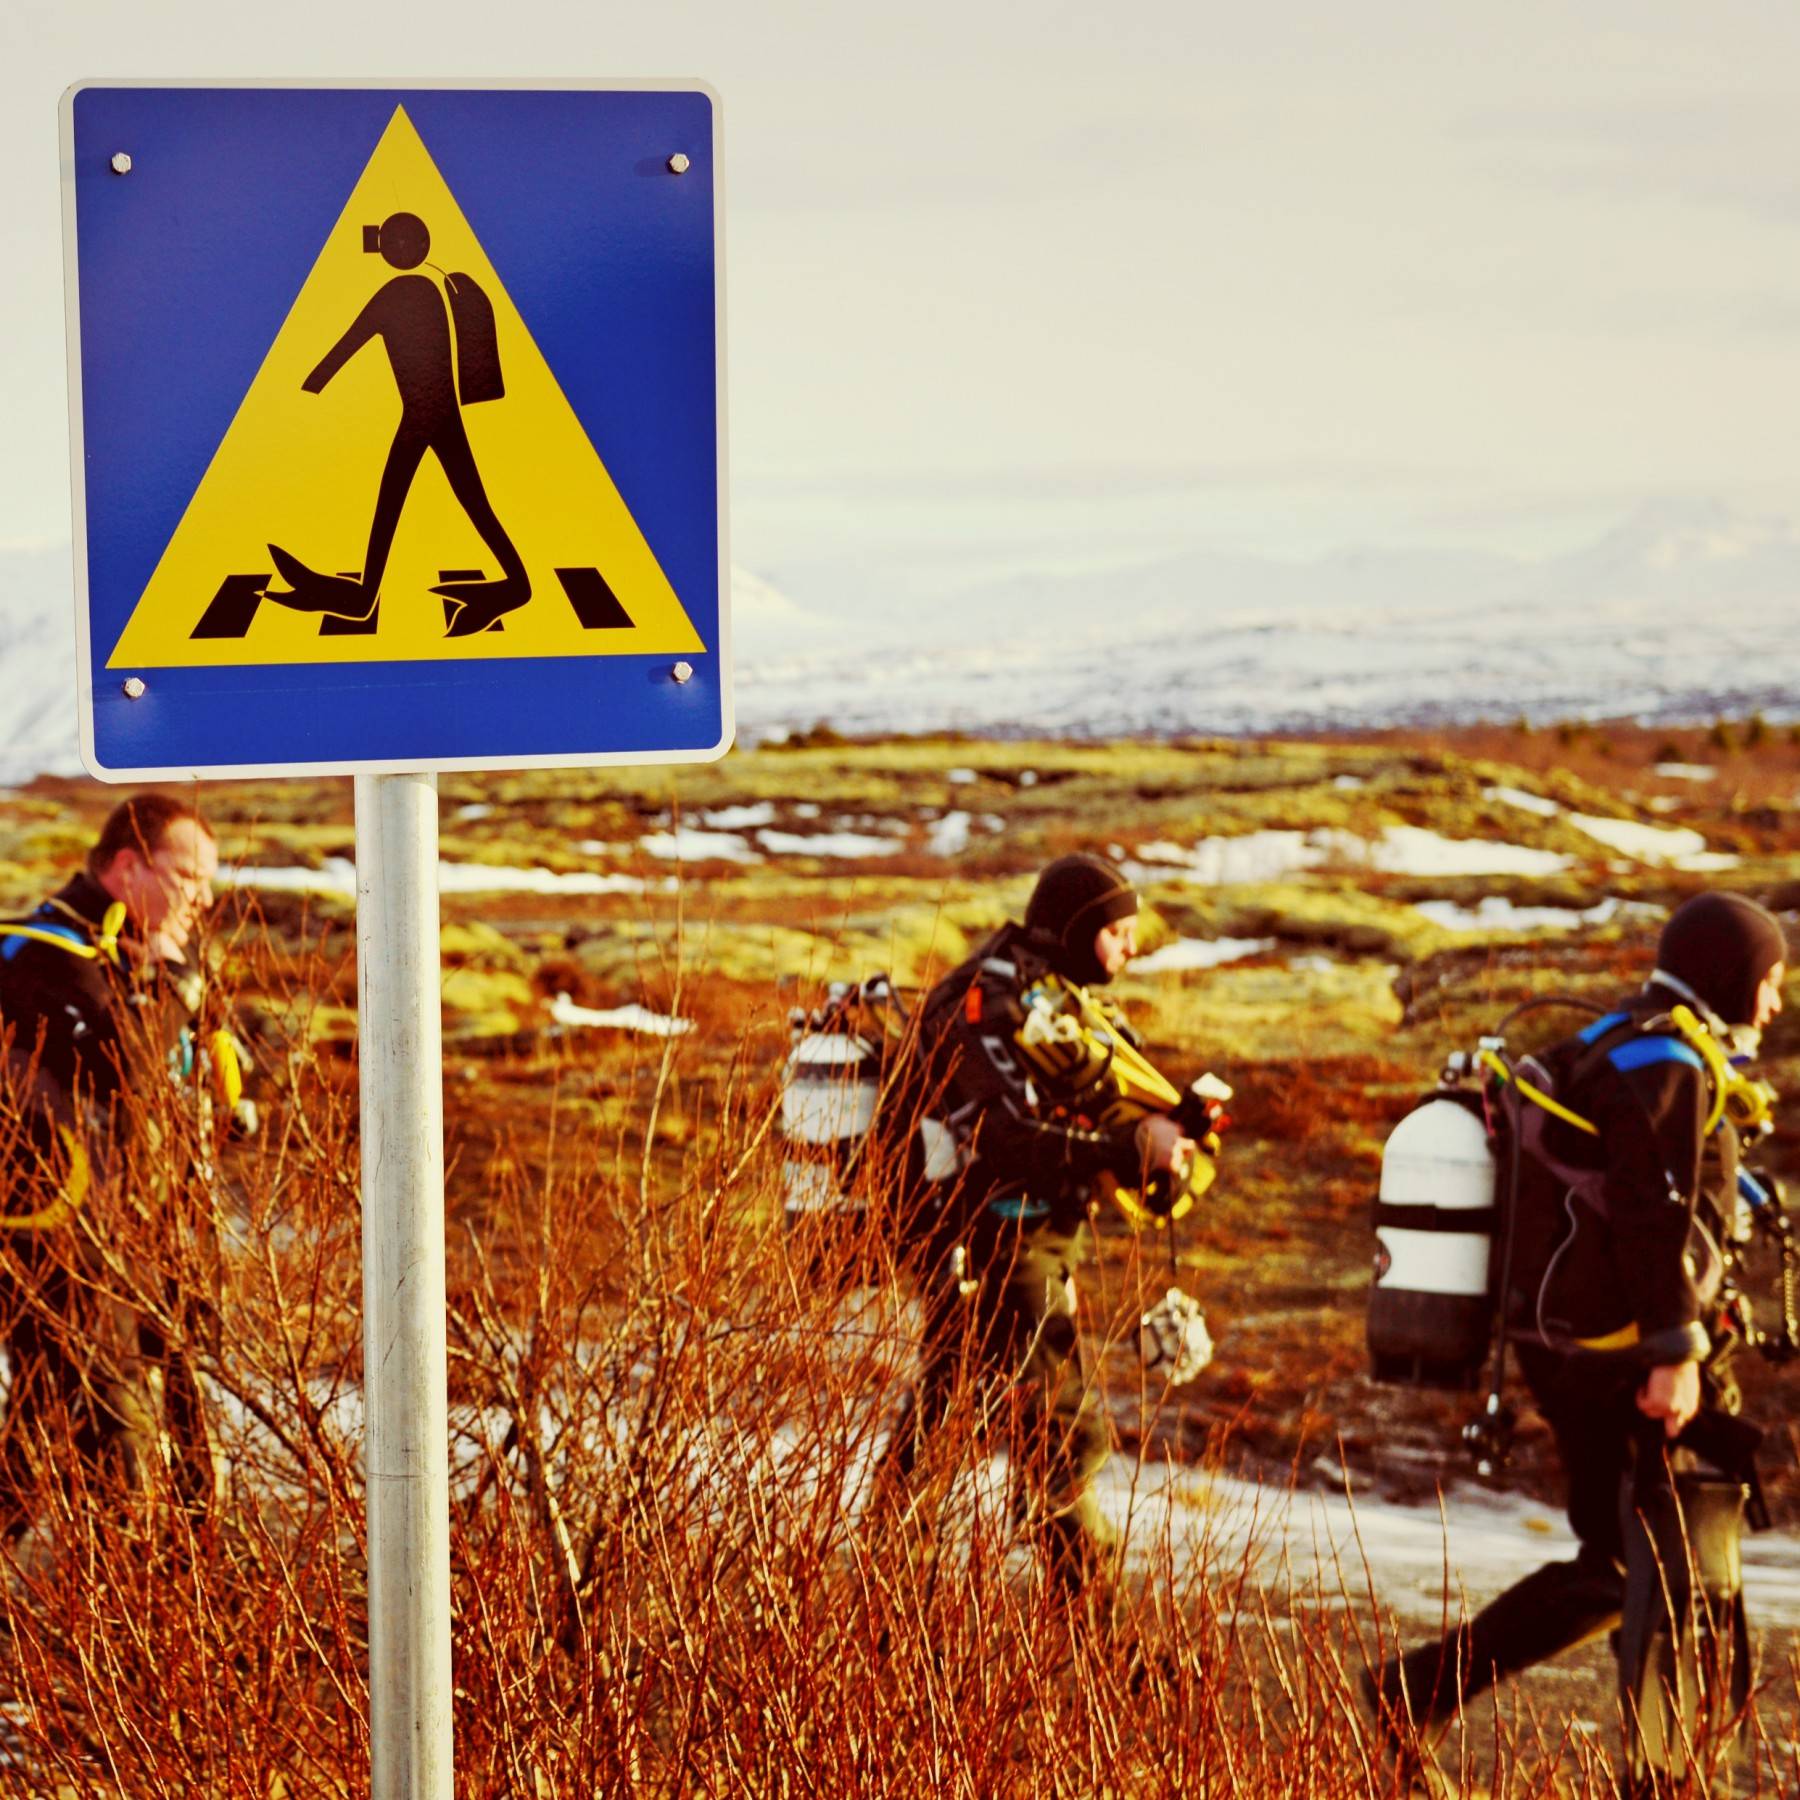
(100,1005)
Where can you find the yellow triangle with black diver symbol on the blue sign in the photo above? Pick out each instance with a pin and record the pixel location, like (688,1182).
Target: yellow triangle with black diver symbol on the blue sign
(406,375)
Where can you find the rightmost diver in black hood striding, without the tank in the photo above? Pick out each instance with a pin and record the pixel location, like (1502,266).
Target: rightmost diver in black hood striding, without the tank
(1614,1313)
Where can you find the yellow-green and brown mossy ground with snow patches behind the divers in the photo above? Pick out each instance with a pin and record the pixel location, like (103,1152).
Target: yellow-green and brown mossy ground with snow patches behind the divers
(1327,1036)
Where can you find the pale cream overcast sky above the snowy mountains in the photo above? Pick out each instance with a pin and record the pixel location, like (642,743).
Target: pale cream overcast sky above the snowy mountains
(1081,285)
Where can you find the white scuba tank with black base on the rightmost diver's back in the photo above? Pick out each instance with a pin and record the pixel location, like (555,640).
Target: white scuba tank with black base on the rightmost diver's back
(1430,1309)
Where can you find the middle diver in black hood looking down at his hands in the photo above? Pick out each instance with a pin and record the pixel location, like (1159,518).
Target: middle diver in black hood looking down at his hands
(1003,1221)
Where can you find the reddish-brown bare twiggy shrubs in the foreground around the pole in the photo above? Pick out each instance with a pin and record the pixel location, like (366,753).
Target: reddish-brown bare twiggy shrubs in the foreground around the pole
(670,1570)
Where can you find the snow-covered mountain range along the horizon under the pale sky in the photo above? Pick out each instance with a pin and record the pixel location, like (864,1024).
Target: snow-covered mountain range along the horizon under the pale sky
(1678,613)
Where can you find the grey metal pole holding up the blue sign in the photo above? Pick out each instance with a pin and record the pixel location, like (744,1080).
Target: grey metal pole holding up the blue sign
(408,1457)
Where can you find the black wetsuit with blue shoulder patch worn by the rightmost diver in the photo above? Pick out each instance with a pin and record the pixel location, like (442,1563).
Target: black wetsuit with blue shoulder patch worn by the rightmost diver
(1632,1264)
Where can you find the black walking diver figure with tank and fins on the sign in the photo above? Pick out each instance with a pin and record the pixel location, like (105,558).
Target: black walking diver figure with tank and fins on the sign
(435,381)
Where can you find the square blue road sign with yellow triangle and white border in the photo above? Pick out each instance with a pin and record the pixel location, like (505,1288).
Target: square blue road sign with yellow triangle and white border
(399,427)
